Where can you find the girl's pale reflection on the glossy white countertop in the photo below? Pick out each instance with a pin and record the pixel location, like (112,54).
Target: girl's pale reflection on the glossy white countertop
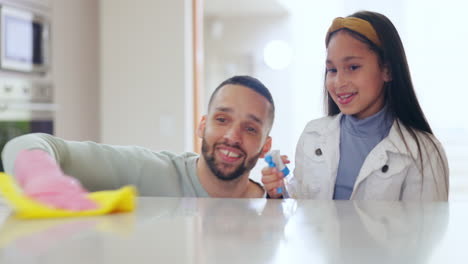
(371,232)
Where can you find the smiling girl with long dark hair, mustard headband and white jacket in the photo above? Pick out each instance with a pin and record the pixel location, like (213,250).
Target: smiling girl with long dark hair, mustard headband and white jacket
(375,143)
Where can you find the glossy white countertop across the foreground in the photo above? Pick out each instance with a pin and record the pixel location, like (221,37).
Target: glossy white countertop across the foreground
(208,230)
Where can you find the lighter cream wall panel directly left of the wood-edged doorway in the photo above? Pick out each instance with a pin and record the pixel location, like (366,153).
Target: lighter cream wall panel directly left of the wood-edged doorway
(146,73)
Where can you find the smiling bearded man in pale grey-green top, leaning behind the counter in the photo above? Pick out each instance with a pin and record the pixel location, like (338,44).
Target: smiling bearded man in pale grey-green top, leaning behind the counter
(234,135)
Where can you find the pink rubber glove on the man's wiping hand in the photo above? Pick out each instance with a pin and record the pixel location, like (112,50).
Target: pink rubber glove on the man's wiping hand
(41,179)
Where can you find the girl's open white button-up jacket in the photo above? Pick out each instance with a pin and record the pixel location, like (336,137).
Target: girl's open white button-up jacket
(389,172)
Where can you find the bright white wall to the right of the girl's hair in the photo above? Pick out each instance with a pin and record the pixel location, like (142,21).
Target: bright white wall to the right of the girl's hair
(437,58)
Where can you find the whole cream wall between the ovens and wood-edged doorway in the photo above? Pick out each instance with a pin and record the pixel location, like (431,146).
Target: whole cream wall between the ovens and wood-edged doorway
(121,76)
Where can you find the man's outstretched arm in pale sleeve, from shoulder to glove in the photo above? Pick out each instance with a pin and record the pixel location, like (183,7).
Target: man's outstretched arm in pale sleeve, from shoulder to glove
(96,166)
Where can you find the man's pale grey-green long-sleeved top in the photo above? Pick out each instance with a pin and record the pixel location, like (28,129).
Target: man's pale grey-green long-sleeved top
(106,167)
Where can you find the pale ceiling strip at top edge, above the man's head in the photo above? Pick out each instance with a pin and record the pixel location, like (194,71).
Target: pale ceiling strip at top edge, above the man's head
(235,8)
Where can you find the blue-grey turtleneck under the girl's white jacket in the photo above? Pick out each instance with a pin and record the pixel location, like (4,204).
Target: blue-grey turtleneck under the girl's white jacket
(357,139)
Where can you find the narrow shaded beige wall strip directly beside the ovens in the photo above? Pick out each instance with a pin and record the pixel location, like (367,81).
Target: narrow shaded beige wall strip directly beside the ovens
(75,61)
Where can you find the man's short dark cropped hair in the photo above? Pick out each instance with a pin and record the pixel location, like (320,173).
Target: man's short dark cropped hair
(251,83)
